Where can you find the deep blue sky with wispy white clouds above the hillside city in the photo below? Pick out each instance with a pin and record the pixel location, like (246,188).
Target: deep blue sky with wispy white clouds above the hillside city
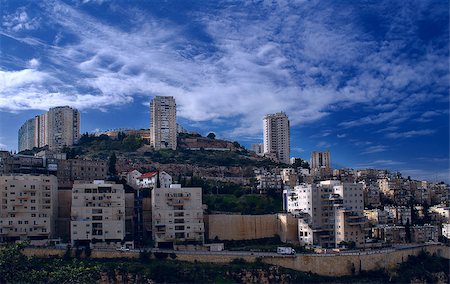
(366,80)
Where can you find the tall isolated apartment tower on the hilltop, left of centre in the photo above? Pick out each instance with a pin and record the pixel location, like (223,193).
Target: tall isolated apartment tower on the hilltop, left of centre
(163,123)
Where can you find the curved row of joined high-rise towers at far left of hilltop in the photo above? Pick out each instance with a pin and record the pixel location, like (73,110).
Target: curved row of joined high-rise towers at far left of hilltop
(58,127)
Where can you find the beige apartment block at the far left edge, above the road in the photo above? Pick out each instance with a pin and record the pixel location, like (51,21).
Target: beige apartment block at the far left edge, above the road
(29,205)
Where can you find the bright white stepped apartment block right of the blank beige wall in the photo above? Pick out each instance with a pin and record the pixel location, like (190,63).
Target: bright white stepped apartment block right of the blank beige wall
(330,212)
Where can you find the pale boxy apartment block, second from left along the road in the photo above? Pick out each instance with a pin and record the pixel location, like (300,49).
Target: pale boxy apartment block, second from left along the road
(98,213)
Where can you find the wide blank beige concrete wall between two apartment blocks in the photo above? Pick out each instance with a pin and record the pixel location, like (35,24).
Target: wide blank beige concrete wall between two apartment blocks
(241,227)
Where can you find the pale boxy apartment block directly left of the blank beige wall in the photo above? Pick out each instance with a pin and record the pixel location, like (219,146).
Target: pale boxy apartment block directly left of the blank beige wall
(177,216)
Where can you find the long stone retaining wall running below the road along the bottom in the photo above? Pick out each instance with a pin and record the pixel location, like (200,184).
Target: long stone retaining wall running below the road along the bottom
(327,265)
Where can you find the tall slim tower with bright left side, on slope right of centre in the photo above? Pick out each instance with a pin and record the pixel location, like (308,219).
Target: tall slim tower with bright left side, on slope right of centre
(277,136)
